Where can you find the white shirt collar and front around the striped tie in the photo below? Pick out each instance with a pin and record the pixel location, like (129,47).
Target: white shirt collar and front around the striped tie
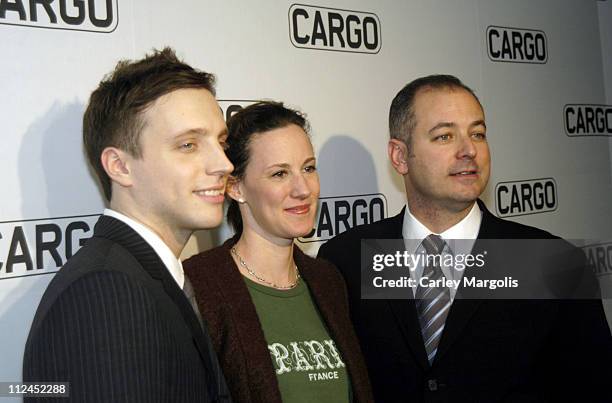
(413,232)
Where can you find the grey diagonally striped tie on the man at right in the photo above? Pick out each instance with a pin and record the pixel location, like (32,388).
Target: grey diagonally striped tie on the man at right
(433,303)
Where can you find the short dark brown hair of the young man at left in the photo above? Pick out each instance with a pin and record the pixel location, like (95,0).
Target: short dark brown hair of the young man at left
(114,115)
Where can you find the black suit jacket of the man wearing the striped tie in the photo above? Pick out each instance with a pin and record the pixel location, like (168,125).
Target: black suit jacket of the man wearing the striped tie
(491,350)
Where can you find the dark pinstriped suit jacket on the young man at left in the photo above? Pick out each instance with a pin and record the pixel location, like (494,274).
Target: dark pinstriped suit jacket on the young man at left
(114,323)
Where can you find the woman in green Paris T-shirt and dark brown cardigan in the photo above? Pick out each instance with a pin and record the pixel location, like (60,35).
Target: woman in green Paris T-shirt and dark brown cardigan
(277,318)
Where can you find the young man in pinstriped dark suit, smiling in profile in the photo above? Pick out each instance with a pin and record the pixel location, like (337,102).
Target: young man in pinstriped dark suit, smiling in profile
(116,322)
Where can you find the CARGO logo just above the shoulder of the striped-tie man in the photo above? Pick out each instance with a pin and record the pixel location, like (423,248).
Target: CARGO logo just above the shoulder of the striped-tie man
(530,196)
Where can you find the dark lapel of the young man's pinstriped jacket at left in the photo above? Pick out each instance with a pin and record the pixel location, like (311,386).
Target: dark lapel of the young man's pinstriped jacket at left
(121,233)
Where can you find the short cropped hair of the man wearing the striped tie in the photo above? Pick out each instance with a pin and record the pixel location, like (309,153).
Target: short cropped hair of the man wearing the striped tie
(401,114)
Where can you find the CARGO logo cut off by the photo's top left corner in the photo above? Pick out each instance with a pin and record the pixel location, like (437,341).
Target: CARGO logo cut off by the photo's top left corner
(75,15)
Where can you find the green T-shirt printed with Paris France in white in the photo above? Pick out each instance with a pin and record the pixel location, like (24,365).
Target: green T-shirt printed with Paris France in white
(308,365)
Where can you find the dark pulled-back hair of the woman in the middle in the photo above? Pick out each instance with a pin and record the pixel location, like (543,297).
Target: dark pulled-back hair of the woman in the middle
(242,127)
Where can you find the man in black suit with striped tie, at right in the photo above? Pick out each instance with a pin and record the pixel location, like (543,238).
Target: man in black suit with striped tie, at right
(435,346)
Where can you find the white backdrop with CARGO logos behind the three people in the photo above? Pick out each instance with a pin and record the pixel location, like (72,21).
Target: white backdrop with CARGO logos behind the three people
(536,65)
